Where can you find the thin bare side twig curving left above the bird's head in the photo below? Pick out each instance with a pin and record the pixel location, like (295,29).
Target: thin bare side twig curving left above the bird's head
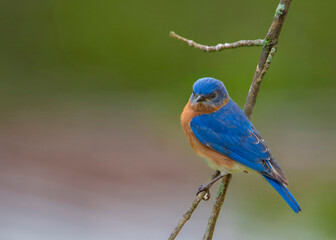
(219,46)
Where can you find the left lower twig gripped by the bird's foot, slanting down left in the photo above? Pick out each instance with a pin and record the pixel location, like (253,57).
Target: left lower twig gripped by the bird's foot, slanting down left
(186,216)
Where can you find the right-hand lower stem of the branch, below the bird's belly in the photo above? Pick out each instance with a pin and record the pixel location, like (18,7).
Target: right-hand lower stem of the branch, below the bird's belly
(222,189)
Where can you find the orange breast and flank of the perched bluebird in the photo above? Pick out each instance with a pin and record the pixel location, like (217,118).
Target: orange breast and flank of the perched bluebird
(218,161)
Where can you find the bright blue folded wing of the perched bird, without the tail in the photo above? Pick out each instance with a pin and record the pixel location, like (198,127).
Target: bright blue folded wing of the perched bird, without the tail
(229,132)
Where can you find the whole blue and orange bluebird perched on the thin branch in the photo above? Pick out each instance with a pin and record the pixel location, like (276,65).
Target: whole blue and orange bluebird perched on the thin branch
(219,131)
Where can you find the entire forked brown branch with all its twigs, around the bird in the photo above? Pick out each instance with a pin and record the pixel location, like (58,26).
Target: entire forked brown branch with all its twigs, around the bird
(269,48)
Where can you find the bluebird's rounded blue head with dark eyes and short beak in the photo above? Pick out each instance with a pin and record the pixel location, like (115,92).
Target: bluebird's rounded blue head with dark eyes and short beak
(209,92)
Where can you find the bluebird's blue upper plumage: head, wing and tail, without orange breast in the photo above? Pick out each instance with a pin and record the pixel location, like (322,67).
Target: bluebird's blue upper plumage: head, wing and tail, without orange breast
(229,132)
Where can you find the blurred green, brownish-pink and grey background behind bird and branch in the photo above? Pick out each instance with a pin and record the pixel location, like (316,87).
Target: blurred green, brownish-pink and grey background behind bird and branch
(91,93)
